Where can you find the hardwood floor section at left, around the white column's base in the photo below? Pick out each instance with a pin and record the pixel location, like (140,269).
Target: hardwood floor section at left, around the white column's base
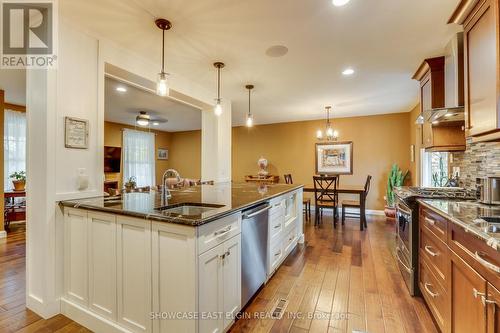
(14,316)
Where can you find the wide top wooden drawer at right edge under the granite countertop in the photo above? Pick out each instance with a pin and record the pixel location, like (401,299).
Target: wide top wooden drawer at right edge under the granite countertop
(475,252)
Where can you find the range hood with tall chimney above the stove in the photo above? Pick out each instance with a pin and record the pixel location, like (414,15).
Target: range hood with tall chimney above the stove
(453,111)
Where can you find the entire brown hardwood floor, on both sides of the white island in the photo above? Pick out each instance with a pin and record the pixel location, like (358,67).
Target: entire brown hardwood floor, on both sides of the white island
(341,280)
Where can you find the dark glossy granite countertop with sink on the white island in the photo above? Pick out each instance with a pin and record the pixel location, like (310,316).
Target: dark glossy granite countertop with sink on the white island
(222,199)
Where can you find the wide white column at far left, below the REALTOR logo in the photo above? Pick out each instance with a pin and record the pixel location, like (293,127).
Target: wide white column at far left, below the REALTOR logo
(41,282)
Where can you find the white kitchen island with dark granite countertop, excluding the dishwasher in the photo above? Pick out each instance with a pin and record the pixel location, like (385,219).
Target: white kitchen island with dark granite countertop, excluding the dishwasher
(148,262)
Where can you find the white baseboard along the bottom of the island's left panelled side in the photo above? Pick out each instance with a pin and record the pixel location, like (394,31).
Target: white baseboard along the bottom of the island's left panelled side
(89,319)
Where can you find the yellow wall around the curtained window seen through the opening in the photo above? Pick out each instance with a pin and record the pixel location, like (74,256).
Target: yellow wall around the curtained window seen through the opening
(113,137)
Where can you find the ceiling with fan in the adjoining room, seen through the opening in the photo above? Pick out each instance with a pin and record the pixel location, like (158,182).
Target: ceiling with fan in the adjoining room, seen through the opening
(123,107)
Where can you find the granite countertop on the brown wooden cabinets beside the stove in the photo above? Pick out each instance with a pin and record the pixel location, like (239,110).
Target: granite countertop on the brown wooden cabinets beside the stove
(468,215)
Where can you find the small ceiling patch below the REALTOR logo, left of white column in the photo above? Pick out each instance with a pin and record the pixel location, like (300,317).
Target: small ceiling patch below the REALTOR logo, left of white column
(13,82)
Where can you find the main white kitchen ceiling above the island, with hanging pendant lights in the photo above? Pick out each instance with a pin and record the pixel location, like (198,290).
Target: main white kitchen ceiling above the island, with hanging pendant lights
(383,40)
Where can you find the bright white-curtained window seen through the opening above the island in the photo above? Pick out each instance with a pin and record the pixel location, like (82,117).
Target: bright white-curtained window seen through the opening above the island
(139,157)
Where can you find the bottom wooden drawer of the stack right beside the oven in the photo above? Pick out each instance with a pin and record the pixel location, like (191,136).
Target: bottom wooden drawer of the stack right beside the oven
(433,293)
